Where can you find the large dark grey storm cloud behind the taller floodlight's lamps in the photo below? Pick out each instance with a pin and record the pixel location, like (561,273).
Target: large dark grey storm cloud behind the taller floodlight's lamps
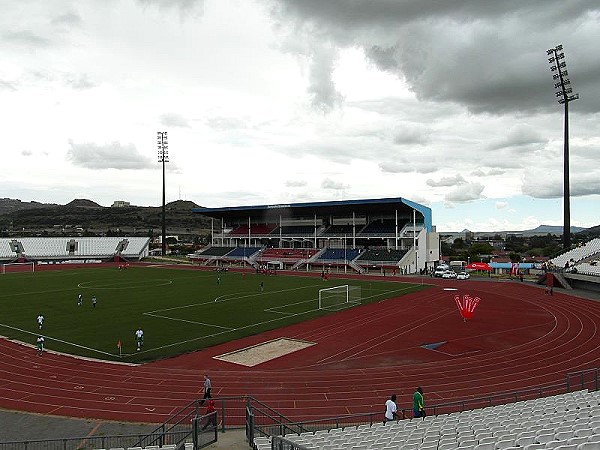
(487,55)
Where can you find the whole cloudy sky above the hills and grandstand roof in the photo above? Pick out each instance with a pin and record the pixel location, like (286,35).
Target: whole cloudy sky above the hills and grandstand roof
(447,103)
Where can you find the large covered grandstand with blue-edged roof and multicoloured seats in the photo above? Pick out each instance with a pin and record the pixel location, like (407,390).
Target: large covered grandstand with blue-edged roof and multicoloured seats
(388,233)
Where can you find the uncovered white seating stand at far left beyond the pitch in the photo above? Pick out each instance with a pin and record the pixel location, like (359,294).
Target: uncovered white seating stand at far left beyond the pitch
(75,249)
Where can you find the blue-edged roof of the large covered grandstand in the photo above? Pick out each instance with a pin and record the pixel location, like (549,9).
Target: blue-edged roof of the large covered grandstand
(271,213)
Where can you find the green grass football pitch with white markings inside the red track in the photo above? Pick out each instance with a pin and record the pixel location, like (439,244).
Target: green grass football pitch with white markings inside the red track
(178,310)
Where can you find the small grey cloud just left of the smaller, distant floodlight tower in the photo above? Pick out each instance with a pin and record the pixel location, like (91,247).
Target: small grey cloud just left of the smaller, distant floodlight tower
(107,156)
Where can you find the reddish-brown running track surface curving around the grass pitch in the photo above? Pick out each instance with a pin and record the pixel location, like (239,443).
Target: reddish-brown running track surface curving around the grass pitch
(518,338)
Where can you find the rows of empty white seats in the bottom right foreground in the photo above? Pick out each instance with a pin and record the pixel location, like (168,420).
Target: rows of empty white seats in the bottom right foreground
(567,421)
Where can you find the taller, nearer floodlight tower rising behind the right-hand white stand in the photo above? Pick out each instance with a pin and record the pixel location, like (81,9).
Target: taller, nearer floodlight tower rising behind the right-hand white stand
(564,94)
